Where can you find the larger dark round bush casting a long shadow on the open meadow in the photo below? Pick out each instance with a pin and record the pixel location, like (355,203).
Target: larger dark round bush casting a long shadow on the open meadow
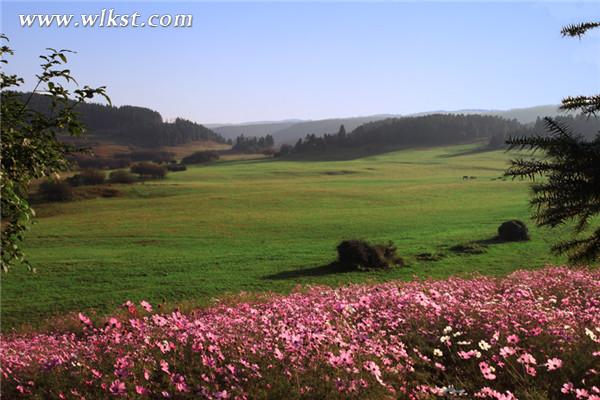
(362,255)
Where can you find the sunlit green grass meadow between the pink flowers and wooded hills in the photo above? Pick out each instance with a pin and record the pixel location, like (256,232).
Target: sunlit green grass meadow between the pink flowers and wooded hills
(255,225)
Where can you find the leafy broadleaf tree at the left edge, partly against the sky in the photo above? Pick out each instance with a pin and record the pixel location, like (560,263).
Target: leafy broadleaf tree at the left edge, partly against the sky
(30,146)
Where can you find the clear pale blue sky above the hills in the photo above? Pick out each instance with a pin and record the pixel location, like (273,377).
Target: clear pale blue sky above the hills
(259,61)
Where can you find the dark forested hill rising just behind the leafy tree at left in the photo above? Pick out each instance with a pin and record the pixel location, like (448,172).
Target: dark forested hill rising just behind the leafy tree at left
(130,125)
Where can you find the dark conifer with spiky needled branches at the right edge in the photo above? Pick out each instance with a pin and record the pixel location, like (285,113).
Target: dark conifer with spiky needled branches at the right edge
(570,165)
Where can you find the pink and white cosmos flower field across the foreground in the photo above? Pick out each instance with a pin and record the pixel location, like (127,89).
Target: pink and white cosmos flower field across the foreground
(530,335)
